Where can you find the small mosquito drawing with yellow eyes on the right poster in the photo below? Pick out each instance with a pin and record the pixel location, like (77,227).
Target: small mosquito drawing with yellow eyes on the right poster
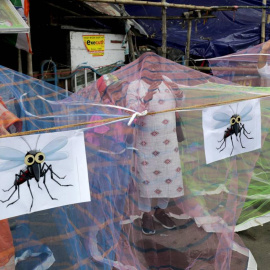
(236,127)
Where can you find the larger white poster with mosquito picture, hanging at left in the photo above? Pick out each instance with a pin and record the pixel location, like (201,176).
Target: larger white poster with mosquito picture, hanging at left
(39,172)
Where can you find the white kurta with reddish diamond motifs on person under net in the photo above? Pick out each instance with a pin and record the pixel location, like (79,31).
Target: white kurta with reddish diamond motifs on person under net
(157,162)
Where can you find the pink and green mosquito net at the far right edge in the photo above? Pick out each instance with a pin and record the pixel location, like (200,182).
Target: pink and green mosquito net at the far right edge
(249,68)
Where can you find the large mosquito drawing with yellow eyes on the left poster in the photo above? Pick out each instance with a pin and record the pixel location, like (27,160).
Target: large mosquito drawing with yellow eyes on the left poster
(36,167)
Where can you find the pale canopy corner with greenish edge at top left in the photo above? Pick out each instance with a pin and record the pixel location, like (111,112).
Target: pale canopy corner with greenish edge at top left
(10,20)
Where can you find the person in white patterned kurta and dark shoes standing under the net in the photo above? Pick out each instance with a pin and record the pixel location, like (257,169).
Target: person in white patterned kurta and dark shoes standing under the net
(157,167)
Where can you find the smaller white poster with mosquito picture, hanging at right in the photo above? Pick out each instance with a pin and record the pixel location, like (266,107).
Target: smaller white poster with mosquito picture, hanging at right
(231,129)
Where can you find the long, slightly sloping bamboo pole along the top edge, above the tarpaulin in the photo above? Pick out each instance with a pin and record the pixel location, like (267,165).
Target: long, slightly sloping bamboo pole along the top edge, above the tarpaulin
(149,3)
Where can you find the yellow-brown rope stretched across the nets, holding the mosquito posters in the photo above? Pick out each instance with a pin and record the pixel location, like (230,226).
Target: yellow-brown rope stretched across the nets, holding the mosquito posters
(129,116)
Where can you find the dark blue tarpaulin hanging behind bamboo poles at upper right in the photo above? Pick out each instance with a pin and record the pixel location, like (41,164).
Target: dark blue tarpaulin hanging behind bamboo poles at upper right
(229,32)
